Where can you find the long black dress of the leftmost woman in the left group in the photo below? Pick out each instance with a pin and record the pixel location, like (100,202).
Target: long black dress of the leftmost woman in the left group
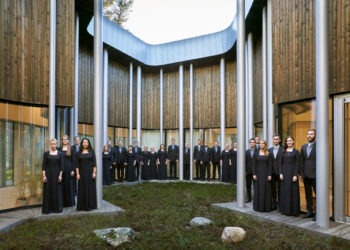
(52,189)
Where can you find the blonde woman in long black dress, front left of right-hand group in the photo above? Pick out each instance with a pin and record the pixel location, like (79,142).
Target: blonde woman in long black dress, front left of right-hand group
(262,170)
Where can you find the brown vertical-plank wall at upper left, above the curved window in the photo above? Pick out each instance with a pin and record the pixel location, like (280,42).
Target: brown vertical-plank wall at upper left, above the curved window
(24,51)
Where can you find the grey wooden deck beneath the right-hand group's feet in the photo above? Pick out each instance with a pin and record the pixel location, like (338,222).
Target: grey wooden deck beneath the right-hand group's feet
(341,230)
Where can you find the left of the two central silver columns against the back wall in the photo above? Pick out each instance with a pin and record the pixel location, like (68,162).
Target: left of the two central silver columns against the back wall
(181,120)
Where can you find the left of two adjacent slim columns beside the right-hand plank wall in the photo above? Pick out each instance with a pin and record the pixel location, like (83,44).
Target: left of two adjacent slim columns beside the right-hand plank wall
(264,73)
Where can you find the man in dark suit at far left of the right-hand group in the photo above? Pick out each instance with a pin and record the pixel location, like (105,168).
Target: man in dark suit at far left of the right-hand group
(250,155)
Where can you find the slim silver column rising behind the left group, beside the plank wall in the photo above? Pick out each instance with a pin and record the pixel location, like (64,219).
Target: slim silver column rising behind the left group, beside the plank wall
(76,77)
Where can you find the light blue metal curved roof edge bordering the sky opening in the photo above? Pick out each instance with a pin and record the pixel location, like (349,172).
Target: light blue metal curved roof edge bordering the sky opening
(172,52)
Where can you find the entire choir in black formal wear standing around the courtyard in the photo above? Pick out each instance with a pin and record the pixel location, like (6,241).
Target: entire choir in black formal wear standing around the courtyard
(274,172)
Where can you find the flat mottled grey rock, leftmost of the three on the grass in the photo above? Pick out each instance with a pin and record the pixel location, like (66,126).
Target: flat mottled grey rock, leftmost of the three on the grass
(116,236)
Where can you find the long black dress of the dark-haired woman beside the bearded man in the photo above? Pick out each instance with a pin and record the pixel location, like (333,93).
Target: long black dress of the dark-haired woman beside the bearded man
(289,195)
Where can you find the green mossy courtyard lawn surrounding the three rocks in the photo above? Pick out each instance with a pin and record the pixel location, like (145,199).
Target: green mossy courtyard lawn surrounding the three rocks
(160,213)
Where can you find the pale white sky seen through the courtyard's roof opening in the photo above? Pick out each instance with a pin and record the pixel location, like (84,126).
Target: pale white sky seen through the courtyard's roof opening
(160,21)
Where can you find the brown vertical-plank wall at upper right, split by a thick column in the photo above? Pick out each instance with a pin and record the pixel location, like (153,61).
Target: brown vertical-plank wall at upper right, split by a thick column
(294,48)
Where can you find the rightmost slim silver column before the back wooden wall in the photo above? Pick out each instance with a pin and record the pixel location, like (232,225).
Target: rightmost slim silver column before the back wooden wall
(222,106)
